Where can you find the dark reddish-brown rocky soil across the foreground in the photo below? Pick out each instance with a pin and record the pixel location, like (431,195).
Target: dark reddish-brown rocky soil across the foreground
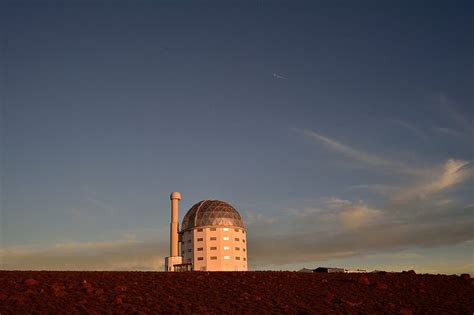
(232,292)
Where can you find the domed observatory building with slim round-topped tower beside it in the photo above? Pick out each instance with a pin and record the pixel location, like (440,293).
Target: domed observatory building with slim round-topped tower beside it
(212,237)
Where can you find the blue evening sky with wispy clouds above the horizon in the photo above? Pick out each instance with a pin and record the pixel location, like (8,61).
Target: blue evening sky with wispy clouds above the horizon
(341,130)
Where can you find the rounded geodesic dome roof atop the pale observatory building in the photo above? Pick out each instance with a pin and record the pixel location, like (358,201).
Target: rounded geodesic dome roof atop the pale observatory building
(211,213)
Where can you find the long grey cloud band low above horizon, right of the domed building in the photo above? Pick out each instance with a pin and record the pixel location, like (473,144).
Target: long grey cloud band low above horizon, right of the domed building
(307,245)
